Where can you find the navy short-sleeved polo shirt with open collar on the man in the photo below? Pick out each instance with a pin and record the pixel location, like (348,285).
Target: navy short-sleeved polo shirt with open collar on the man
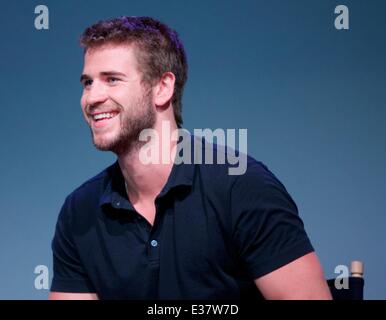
(213,234)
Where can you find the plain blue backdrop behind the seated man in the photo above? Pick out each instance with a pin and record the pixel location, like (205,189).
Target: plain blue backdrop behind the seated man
(312,99)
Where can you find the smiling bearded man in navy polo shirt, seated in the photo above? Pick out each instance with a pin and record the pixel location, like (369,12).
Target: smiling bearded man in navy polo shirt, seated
(166,230)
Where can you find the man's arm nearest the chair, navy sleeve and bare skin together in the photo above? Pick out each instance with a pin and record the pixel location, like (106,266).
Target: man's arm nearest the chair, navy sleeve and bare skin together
(271,240)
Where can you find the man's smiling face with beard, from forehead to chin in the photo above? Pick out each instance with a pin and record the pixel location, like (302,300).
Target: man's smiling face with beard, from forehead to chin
(115,104)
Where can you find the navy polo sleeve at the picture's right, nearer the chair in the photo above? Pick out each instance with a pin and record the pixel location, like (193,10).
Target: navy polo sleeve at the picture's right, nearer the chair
(268,231)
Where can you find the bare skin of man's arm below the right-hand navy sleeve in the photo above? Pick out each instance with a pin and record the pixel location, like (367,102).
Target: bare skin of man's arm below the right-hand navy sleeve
(301,279)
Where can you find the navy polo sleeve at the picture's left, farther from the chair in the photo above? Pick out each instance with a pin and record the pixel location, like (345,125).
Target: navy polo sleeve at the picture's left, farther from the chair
(69,274)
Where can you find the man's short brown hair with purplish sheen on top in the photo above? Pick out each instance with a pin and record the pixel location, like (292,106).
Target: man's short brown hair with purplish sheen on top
(157,48)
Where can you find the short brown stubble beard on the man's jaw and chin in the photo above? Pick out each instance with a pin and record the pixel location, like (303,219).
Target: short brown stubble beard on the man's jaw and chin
(133,119)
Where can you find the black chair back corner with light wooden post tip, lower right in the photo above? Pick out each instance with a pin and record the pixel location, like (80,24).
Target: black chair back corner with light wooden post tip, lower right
(354,291)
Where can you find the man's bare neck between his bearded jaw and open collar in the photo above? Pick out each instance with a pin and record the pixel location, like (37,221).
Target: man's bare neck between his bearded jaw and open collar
(145,180)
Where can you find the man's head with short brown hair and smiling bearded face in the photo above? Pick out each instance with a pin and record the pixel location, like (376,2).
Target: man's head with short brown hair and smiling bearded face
(125,58)
